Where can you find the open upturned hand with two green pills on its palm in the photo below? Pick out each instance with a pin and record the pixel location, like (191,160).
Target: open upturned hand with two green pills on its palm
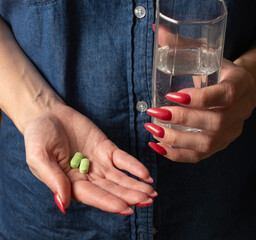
(53,138)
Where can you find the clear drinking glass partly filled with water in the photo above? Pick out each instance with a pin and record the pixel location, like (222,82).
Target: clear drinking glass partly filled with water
(189,42)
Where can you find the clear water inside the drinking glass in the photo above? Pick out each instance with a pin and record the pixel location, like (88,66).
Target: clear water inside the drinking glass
(184,68)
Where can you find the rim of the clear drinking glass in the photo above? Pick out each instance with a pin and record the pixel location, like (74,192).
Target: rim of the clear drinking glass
(197,22)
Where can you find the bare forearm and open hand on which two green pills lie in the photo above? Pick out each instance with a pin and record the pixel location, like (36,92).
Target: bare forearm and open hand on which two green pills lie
(54,132)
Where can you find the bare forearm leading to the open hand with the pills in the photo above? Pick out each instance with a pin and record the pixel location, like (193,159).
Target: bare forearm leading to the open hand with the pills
(24,94)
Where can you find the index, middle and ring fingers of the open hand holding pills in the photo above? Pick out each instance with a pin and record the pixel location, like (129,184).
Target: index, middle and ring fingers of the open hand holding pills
(107,188)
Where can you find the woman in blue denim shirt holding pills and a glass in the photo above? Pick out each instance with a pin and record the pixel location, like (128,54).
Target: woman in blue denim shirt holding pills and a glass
(84,84)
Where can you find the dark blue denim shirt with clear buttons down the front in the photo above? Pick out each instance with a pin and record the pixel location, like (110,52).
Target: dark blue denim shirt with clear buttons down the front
(97,55)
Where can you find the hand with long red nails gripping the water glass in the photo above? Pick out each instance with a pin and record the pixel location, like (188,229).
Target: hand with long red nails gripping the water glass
(218,110)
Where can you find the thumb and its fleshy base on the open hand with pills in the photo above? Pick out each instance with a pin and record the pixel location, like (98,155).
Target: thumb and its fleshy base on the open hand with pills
(47,153)
